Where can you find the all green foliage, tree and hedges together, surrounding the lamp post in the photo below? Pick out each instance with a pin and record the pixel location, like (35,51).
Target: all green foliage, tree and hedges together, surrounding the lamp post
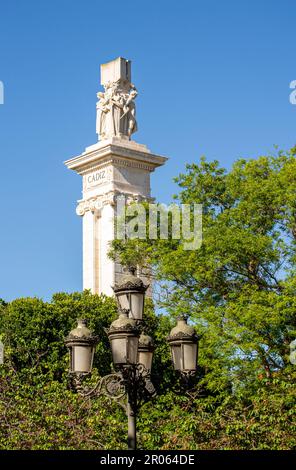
(239,290)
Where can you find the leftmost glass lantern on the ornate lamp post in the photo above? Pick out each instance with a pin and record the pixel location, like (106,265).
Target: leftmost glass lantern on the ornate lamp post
(81,344)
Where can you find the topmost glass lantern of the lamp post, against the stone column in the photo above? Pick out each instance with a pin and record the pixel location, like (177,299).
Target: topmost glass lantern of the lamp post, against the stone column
(130,295)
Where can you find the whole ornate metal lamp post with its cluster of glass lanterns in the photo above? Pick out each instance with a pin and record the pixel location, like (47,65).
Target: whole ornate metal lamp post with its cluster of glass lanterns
(132,353)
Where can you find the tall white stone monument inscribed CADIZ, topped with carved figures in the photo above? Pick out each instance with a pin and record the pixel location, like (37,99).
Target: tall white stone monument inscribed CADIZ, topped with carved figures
(114,167)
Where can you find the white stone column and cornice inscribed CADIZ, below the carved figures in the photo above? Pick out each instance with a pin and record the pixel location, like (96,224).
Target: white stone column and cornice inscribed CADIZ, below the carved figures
(111,168)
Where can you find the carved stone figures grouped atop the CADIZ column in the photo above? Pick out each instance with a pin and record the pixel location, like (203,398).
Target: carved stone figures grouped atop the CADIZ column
(116,110)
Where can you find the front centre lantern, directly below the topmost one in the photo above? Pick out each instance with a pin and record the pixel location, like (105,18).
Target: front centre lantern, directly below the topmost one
(124,338)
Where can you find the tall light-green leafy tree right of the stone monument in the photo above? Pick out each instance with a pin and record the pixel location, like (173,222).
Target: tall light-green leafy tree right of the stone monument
(239,287)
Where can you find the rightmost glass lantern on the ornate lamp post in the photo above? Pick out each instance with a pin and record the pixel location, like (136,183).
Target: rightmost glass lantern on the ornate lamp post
(183,341)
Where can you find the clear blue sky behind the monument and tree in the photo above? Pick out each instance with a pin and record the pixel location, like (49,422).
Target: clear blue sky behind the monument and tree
(213,78)
